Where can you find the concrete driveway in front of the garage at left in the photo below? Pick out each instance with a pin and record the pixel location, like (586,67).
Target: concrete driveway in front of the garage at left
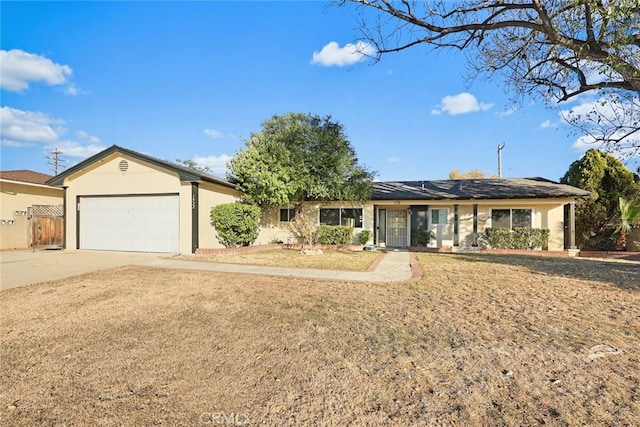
(21,268)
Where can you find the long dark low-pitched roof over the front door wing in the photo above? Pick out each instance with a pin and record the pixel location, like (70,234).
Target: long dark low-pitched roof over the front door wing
(469,189)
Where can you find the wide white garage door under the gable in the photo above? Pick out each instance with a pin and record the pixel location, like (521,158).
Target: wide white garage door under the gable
(130,223)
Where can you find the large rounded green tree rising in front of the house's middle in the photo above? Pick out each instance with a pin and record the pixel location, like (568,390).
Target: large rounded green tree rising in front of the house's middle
(298,157)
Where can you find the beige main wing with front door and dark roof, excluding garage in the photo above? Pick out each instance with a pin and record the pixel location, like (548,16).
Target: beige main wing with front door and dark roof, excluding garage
(457,211)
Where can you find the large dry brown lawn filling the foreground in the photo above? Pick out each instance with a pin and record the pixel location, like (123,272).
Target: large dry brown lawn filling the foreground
(478,340)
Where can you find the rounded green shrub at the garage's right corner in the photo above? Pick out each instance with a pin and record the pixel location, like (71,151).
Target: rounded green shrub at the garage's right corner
(236,224)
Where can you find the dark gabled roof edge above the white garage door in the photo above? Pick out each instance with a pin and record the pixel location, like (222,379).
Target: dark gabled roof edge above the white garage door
(184,173)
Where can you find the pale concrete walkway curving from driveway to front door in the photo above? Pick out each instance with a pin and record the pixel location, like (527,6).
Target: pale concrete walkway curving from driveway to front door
(395,266)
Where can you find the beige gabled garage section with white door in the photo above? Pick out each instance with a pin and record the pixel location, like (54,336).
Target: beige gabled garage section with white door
(123,200)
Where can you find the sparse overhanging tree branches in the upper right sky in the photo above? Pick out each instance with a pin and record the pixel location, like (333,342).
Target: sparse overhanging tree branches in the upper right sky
(558,49)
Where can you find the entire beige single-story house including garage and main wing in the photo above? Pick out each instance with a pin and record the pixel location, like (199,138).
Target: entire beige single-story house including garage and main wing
(123,200)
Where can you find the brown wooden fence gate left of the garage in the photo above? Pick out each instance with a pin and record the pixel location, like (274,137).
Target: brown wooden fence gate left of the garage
(46,226)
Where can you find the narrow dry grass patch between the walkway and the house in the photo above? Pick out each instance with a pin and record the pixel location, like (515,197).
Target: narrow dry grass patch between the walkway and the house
(329,260)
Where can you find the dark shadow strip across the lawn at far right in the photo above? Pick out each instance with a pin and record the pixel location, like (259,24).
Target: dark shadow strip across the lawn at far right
(622,274)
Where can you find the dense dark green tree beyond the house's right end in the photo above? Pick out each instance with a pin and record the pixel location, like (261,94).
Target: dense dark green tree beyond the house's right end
(608,180)
